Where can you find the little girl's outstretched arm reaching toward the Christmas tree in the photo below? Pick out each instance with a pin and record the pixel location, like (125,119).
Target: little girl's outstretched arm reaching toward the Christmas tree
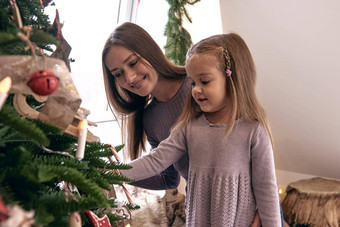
(167,153)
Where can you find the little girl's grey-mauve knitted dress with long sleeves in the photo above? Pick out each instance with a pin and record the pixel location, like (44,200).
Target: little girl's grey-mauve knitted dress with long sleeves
(227,180)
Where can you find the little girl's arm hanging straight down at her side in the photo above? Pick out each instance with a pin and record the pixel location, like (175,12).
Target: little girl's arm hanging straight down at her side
(264,179)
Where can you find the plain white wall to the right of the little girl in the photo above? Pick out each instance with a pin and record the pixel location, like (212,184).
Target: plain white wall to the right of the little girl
(296,46)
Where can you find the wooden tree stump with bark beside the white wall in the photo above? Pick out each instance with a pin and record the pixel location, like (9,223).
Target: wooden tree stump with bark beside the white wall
(312,202)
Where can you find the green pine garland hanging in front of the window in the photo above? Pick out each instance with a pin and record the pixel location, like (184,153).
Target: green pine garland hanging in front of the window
(178,38)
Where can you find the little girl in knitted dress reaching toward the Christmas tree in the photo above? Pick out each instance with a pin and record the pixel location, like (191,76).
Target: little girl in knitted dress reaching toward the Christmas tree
(225,132)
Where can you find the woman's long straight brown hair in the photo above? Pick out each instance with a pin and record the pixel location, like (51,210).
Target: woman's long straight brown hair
(127,105)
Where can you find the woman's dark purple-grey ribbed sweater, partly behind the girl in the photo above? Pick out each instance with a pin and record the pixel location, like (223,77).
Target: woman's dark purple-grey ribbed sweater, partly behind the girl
(158,119)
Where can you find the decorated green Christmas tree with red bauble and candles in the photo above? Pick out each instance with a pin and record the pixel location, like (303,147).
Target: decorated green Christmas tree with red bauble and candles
(42,178)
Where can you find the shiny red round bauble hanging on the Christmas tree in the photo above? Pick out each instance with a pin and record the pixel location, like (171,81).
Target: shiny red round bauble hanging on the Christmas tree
(43,82)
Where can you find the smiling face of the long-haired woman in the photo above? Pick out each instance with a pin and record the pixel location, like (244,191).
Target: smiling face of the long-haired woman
(130,71)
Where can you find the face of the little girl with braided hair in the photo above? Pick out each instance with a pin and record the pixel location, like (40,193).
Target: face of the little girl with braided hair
(208,86)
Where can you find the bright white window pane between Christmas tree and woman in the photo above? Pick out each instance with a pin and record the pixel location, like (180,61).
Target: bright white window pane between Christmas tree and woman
(86,27)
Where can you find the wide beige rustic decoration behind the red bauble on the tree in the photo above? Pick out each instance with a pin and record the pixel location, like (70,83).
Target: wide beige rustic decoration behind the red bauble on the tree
(61,106)
